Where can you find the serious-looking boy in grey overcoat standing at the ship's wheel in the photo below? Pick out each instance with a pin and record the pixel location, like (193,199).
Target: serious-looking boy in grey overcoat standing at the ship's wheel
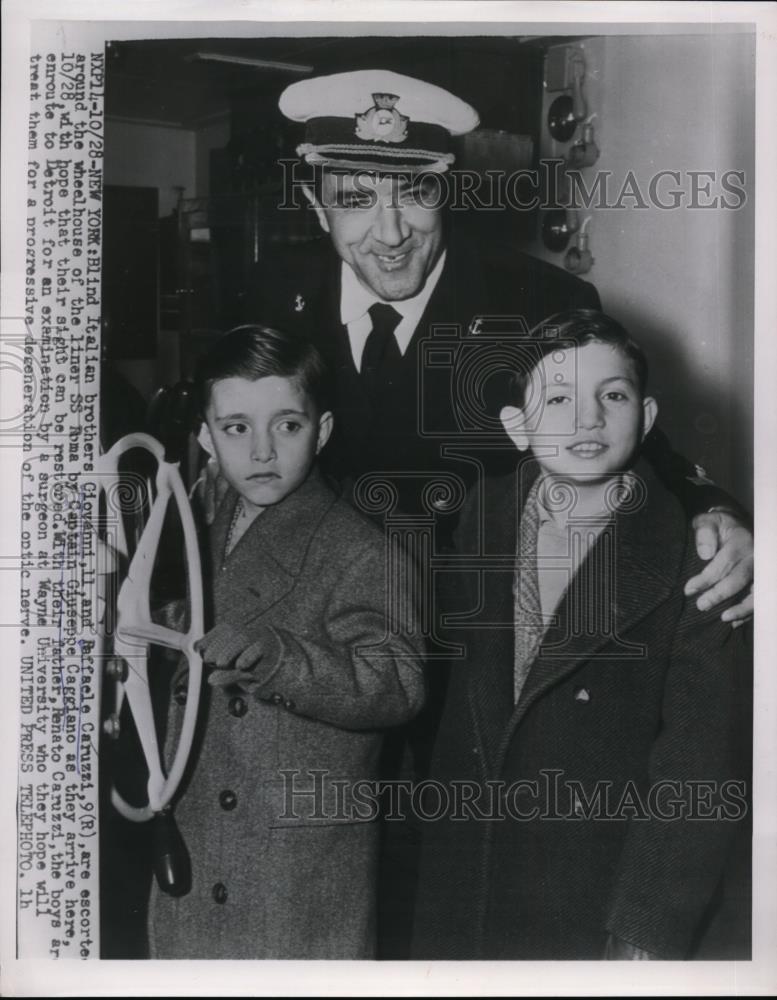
(311,664)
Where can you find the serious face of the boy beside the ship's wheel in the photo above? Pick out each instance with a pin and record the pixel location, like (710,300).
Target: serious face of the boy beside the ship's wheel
(265,434)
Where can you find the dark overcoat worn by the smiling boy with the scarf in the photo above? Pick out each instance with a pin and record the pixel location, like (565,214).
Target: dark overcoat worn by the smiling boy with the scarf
(632,687)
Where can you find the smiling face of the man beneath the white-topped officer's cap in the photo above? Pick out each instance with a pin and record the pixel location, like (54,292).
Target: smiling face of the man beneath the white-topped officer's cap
(381,227)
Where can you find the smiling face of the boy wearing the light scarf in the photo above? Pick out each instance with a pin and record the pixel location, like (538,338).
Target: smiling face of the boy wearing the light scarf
(584,416)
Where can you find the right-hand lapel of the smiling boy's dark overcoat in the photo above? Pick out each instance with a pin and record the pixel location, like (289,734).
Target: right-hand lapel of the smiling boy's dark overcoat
(619,583)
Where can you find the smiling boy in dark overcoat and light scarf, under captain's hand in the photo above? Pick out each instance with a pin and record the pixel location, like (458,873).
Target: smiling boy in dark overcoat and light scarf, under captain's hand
(588,758)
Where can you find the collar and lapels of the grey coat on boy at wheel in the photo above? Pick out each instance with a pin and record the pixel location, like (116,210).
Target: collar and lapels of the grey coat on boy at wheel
(266,562)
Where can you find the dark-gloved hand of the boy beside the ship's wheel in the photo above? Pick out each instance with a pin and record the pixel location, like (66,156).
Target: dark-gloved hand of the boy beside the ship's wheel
(236,656)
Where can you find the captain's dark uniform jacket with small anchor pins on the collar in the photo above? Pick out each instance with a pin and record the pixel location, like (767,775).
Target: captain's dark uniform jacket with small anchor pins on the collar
(427,400)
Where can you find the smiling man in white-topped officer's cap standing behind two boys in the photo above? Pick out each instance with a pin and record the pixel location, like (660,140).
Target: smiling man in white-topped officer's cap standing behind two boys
(388,272)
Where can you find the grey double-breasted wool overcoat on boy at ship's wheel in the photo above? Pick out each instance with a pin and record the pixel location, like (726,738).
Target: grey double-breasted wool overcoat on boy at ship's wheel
(296,882)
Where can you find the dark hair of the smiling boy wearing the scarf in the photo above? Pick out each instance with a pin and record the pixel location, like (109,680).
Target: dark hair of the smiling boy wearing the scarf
(576,328)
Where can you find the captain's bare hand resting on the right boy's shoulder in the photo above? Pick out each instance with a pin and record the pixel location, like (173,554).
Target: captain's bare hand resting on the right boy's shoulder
(728,545)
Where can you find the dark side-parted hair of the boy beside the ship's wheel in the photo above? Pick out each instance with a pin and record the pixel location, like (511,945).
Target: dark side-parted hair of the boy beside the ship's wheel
(253,352)
